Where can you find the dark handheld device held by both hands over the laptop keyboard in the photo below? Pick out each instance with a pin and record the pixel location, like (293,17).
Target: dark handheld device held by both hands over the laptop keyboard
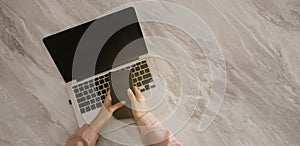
(120,81)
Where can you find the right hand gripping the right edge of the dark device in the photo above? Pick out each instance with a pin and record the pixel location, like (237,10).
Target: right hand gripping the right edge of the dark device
(137,103)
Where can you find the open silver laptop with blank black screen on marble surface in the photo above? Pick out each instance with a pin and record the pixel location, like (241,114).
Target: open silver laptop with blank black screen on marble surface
(88,55)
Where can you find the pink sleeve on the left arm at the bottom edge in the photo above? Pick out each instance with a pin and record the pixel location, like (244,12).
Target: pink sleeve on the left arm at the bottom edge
(85,136)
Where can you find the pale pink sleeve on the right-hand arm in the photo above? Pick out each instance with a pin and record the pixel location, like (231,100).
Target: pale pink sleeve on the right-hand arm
(153,132)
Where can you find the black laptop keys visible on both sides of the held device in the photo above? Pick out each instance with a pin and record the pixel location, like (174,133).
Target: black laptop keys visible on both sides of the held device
(91,94)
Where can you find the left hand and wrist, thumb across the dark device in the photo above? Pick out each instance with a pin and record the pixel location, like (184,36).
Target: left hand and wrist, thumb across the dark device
(105,113)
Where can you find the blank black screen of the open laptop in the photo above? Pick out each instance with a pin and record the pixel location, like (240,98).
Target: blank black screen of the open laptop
(95,46)
